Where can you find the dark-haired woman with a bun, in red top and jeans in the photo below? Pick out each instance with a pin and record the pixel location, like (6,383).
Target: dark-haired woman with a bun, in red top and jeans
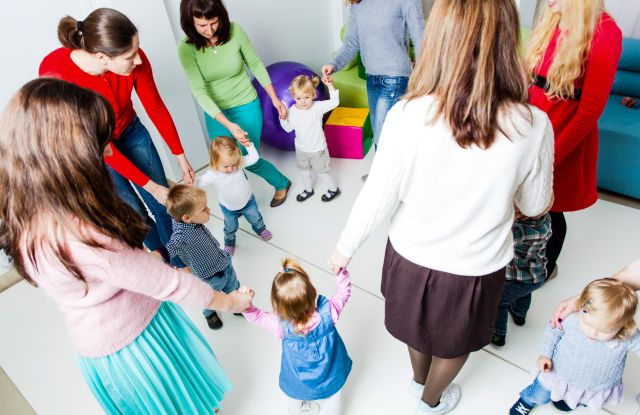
(102,53)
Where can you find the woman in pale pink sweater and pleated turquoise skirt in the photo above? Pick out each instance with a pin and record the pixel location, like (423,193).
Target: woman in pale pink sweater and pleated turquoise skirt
(68,232)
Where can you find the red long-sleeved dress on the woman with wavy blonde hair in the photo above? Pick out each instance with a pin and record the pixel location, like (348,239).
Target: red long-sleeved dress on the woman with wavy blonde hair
(575,123)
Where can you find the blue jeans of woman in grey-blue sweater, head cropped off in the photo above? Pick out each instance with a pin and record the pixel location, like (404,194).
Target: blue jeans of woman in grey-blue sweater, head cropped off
(383,92)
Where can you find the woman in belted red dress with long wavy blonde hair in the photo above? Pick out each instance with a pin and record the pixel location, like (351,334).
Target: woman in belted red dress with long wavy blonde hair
(572,55)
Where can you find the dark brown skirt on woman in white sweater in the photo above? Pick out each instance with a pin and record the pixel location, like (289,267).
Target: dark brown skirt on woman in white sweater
(437,313)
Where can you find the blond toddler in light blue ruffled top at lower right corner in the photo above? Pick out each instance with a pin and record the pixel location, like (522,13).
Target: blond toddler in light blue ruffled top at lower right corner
(582,363)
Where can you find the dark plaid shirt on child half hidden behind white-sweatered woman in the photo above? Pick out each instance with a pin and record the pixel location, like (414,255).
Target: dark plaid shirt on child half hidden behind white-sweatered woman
(530,237)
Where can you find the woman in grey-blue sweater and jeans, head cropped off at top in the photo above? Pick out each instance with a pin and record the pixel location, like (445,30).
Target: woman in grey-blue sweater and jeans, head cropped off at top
(378,29)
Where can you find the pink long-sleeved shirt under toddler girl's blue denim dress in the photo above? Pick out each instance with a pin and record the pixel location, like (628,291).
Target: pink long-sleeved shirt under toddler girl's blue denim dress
(271,322)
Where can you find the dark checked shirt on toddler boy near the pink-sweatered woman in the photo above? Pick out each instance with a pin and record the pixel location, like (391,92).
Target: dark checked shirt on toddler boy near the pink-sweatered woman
(197,248)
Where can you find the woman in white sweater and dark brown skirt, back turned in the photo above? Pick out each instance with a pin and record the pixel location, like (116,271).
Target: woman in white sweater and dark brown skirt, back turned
(455,156)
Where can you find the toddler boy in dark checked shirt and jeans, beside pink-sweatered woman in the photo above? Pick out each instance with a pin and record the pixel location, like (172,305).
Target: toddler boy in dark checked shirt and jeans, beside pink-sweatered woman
(192,242)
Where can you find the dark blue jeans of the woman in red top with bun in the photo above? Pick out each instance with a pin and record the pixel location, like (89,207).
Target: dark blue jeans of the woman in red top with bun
(136,145)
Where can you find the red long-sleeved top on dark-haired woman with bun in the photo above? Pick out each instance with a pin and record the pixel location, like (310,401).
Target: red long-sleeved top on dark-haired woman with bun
(117,90)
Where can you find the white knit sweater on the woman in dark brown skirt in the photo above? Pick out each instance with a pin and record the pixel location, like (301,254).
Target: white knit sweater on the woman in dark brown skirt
(452,208)
